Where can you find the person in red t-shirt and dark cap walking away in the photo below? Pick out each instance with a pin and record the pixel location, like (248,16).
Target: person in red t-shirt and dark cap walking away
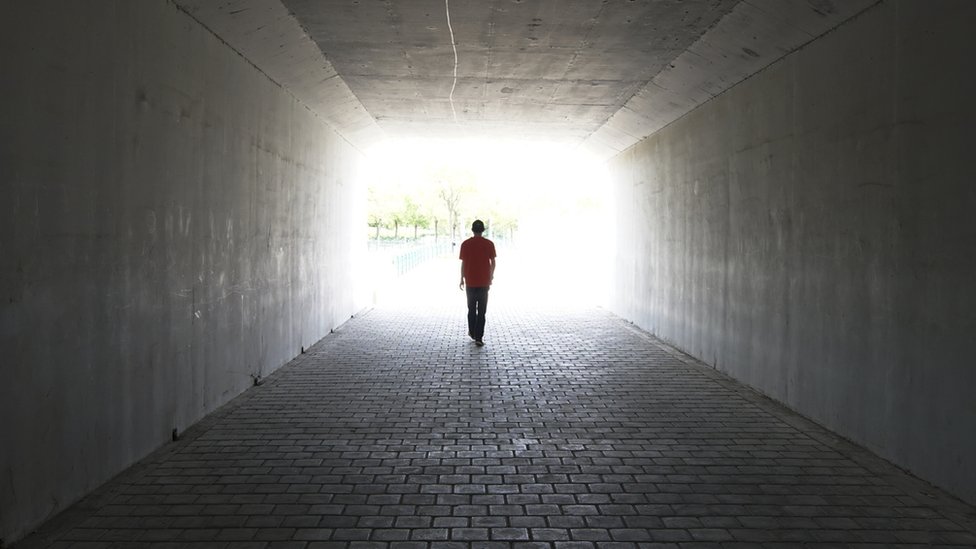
(477,272)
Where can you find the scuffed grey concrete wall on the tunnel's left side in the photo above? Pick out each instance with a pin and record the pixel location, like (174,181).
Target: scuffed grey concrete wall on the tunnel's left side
(172,223)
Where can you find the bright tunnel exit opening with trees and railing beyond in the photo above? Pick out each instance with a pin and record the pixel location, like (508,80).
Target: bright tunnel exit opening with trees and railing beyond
(545,206)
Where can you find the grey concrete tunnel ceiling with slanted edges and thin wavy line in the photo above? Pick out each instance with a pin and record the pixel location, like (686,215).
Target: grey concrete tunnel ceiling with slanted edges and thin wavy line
(603,74)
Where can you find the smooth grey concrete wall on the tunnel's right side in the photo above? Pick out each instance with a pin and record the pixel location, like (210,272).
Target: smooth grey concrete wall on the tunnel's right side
(811,232)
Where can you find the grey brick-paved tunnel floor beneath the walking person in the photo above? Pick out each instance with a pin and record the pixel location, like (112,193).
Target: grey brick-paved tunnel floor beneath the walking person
(569,429)
